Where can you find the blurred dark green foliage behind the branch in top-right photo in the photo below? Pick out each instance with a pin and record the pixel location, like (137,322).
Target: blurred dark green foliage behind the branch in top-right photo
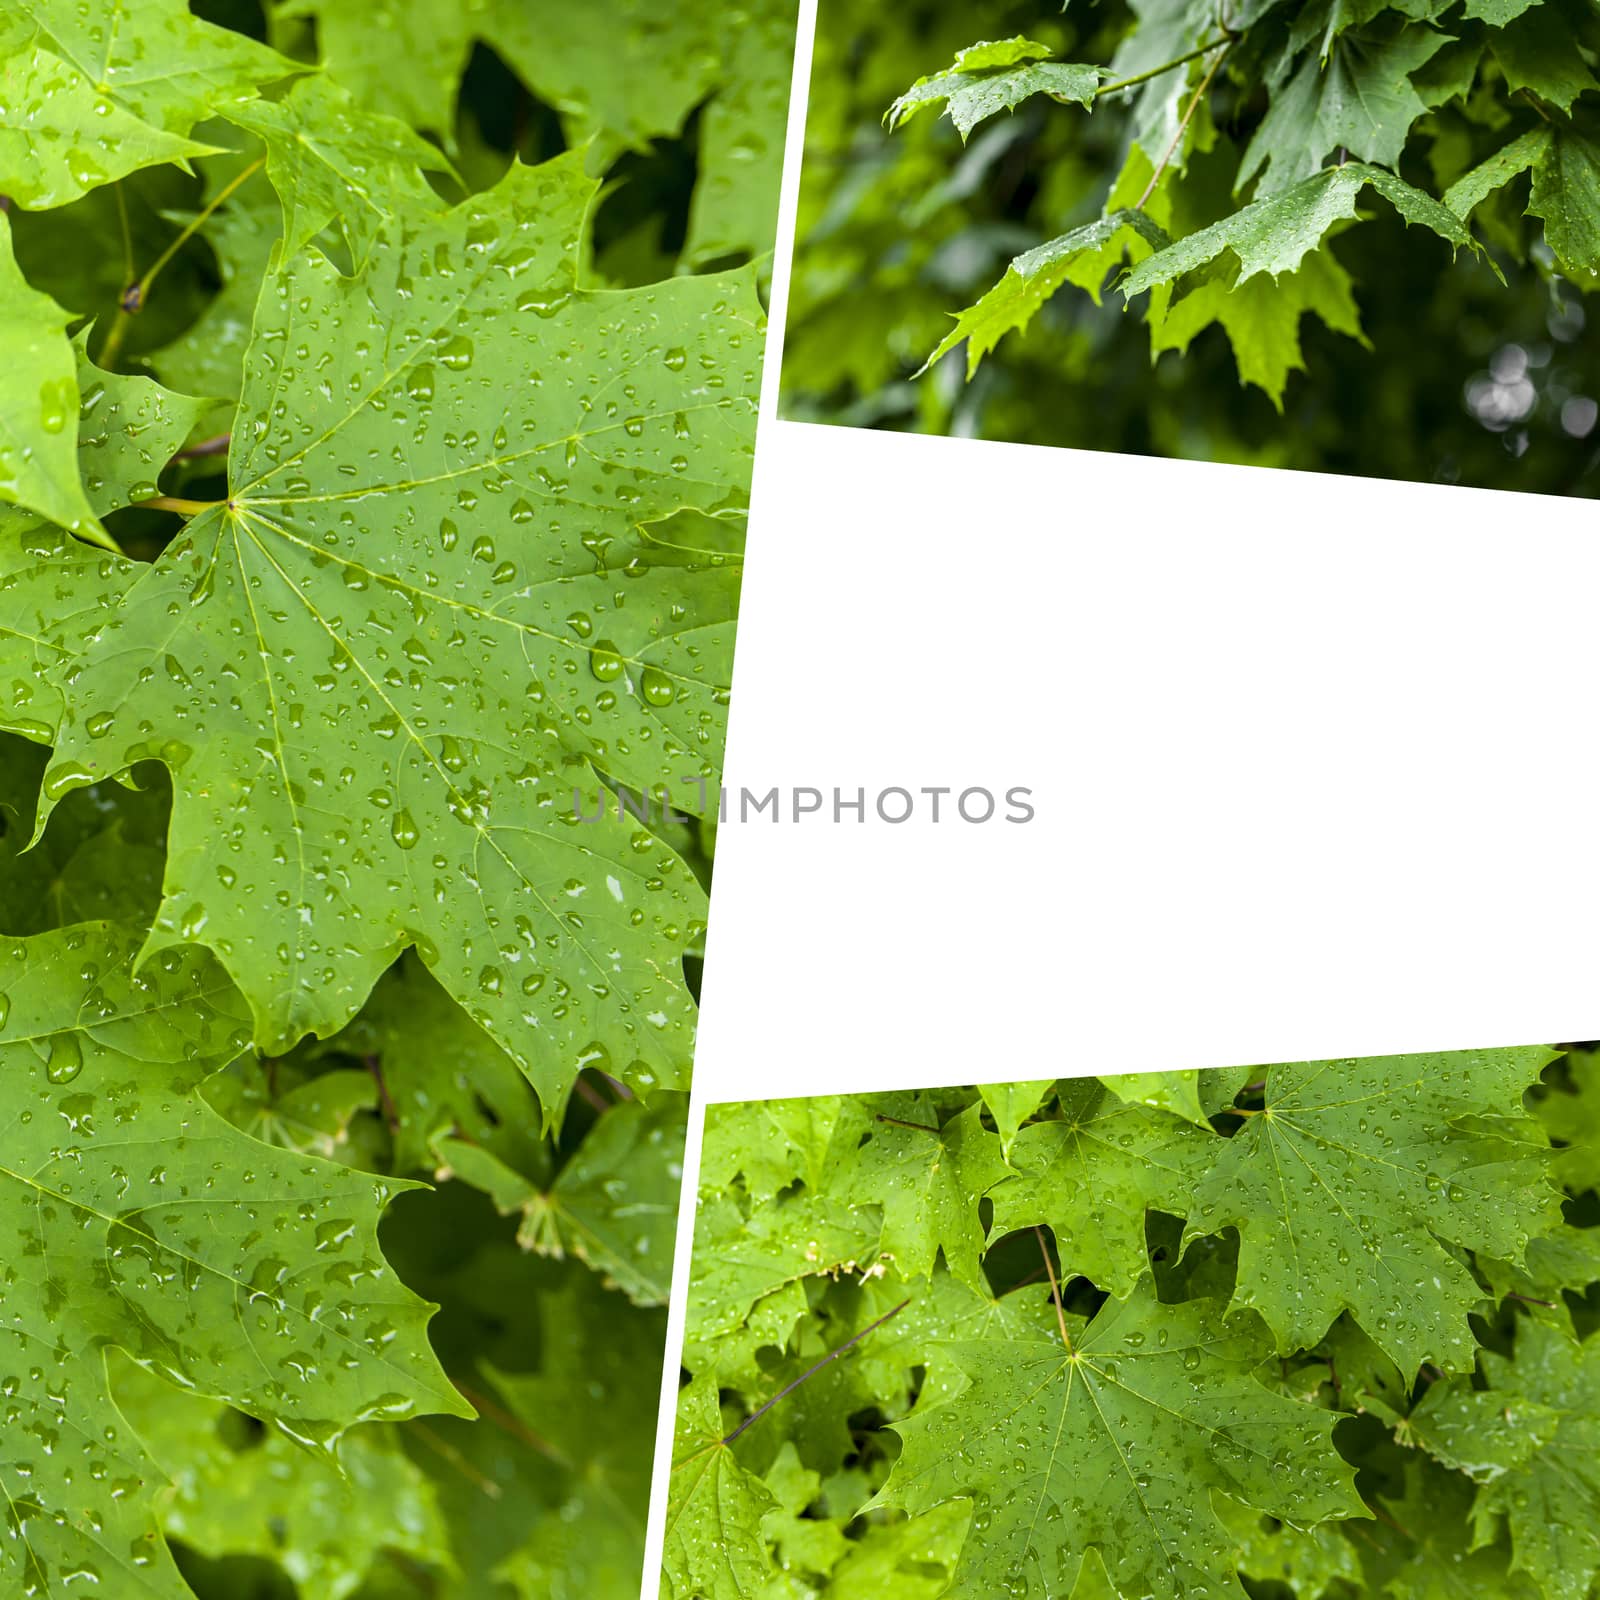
(1466,382)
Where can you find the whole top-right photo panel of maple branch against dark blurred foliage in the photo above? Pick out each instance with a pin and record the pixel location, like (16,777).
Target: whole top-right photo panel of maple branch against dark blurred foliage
(1414,188)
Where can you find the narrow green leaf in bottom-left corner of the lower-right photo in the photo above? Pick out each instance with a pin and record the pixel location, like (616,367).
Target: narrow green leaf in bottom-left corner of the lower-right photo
(714,1545)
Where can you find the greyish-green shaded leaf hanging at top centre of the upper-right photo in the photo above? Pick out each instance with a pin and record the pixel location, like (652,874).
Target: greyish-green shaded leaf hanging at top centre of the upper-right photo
(1361,98)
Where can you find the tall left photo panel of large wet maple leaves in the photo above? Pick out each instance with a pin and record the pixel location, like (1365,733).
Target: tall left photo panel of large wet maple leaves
(377,412)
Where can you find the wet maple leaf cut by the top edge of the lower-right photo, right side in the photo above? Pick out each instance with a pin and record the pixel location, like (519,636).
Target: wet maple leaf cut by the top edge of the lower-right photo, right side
(1356,1177)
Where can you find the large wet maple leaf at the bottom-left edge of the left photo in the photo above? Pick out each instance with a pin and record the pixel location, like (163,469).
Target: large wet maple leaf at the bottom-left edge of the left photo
(145,1222)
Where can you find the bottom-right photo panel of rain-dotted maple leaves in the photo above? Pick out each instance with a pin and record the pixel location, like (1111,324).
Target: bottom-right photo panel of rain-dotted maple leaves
(1316,1329)
